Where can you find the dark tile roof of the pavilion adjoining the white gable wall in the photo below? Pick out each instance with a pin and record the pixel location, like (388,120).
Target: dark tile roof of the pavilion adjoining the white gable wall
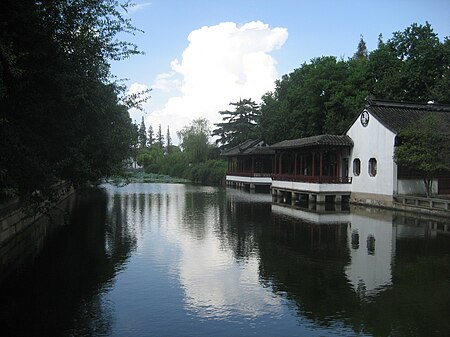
(321,140)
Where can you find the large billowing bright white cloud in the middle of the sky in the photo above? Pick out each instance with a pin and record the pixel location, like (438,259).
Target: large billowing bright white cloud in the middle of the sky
(221,64)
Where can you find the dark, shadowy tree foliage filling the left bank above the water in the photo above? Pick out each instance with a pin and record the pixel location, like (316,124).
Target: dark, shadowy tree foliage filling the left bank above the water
(62,119)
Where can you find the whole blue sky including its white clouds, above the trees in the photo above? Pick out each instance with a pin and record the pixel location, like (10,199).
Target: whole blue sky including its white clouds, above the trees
(201,55)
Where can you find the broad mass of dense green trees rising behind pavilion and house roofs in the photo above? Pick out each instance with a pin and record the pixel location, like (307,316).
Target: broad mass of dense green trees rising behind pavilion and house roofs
(324,95)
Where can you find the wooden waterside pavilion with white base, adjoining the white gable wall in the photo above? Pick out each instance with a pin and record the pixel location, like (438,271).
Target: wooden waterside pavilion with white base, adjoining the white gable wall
(314,167)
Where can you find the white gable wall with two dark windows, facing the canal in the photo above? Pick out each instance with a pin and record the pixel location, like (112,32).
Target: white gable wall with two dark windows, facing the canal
(373,141)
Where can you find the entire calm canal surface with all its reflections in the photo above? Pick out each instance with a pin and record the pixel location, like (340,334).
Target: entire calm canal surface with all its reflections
(183,260)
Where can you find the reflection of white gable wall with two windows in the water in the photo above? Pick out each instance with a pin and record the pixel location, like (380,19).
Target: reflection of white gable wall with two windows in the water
(372,247)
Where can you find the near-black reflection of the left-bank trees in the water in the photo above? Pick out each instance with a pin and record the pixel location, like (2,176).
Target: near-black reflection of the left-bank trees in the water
(82,259)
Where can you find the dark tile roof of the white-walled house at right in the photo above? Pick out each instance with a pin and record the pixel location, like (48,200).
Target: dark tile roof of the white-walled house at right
(398,115)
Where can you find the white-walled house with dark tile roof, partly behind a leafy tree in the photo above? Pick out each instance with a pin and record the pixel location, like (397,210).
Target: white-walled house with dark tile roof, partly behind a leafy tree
(375,176)
